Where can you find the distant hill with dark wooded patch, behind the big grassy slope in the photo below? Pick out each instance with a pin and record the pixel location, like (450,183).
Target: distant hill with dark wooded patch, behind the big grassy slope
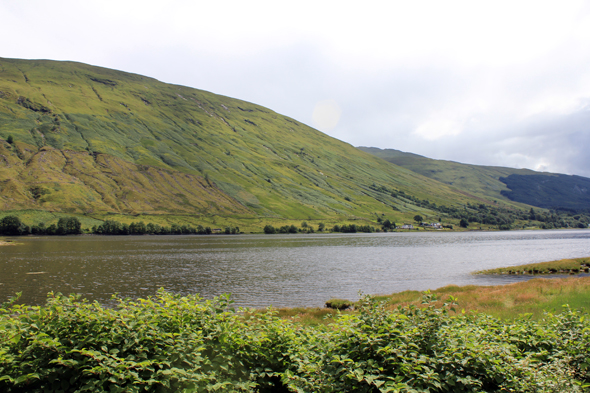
(517,186)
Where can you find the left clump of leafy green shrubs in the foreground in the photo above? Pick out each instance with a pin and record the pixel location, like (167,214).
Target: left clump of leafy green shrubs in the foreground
(165,343)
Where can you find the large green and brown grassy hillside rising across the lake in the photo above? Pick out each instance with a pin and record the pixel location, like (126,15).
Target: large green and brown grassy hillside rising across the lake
(92,141)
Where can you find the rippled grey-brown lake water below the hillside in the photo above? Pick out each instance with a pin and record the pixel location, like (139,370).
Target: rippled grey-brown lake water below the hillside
(282,270)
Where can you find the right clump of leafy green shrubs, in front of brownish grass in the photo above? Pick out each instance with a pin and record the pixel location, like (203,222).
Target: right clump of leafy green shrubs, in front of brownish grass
(426,350)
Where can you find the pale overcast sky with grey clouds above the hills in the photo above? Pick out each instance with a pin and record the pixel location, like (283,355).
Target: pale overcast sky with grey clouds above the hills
(482,82)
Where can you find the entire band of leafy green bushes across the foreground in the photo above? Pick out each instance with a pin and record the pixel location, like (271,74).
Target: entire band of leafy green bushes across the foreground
(172,343)
